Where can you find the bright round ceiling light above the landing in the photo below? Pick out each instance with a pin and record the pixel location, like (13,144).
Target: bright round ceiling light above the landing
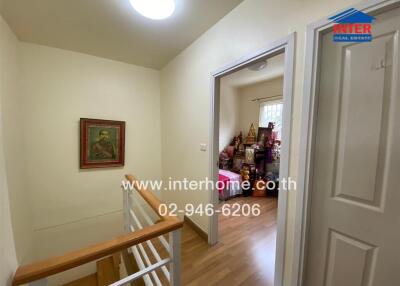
(154,9)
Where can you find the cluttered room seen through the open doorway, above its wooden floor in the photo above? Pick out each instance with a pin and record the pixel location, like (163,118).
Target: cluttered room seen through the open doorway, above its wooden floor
(250,131)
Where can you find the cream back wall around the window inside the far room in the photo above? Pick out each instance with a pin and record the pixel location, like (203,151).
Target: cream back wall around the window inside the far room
(249,111)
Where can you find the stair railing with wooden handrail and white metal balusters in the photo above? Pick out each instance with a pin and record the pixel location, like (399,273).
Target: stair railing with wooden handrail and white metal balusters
(136,235)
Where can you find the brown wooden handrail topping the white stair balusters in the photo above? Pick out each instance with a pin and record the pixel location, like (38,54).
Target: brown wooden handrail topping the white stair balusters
(38,270)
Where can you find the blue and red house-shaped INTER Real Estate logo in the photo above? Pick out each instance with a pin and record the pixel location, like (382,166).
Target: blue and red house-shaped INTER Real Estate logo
(352,26)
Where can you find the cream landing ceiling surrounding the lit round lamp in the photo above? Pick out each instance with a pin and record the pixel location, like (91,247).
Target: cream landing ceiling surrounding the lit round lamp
(112,28)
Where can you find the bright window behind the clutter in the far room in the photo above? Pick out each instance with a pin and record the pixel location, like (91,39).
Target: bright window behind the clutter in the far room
(271,111)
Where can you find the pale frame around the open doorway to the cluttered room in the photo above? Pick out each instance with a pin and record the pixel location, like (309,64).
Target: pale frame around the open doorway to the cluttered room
(287,46)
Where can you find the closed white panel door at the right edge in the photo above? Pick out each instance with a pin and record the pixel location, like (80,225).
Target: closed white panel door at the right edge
(355,204)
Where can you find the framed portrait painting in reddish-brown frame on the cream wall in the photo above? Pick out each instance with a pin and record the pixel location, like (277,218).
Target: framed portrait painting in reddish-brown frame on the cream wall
(102,143)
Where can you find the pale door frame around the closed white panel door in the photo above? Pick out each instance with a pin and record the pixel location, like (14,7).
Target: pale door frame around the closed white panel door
(308,124)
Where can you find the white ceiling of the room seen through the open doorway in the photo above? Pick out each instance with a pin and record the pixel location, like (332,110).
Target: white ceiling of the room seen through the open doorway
(245,76)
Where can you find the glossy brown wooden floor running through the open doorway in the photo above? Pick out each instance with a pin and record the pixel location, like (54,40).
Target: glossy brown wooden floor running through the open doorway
(245,254)
